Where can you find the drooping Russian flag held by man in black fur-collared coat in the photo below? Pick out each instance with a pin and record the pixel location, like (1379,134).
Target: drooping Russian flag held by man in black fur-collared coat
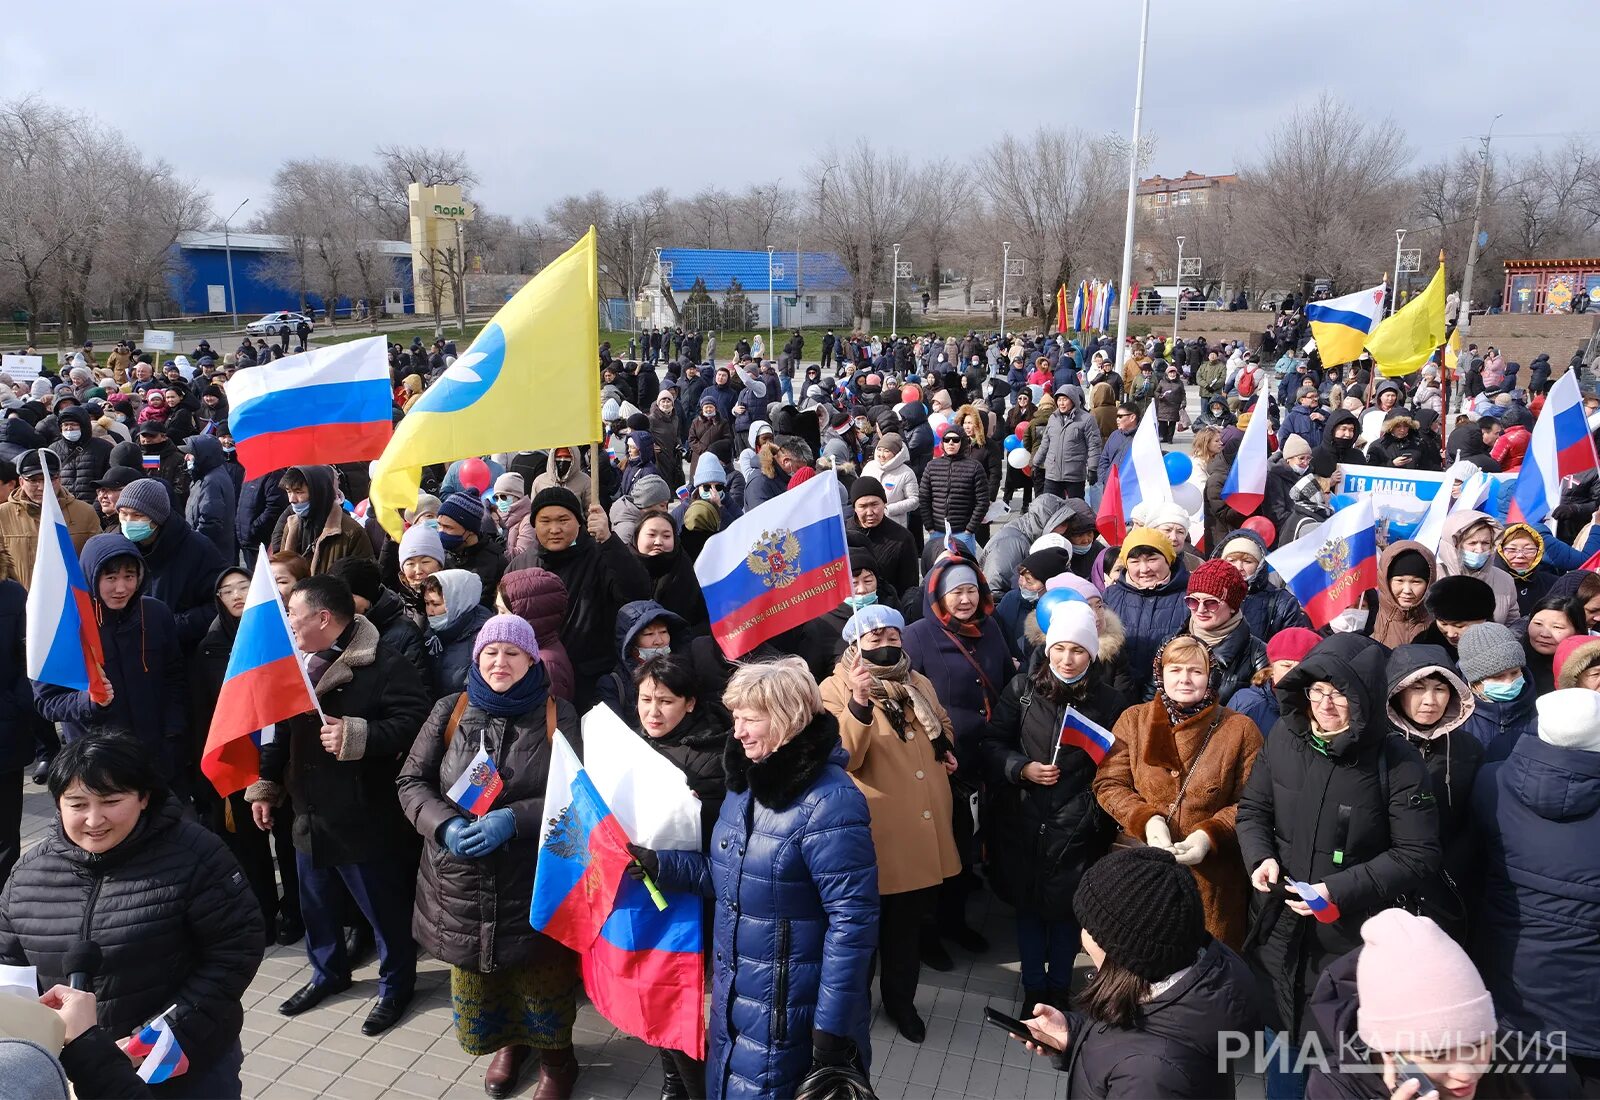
(265,685)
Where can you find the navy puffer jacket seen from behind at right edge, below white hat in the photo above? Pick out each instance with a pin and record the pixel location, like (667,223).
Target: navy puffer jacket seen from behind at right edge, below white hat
(1537,935)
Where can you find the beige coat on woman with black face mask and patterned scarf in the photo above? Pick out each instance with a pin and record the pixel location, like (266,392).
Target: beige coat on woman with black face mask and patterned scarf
(908,792)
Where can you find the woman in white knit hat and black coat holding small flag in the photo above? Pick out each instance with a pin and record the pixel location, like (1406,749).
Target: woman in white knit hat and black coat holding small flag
(1042,808)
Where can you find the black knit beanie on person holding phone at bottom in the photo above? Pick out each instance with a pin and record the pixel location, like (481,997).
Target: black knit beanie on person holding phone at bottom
(1145,912)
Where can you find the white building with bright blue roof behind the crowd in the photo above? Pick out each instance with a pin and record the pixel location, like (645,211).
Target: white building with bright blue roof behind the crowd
(807,289)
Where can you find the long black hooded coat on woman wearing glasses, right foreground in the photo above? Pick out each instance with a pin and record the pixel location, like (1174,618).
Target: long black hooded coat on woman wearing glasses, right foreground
(1356,816)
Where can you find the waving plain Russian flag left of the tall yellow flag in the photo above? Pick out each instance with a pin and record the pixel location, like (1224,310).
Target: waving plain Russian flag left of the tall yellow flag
(318,409)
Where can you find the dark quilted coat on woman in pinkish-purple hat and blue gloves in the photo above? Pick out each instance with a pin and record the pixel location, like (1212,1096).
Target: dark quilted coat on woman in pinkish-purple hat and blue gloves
(474,912)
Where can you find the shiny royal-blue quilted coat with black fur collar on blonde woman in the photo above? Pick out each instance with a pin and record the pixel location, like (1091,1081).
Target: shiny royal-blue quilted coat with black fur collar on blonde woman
(796,920)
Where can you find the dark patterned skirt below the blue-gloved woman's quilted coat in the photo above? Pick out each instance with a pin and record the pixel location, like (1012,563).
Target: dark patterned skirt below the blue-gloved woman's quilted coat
(532,1005)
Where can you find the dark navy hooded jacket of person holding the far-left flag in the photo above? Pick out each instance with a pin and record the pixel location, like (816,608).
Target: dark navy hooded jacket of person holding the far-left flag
(145,666)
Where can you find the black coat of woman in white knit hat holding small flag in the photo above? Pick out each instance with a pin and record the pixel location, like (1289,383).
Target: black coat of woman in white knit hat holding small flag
(1046,837)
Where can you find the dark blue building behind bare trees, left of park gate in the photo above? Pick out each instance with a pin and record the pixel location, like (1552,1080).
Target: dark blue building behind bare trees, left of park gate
(201,277)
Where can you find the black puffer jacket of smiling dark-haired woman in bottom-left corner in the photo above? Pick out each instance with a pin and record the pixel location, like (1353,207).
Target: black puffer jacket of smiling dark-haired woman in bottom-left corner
(169,909)
